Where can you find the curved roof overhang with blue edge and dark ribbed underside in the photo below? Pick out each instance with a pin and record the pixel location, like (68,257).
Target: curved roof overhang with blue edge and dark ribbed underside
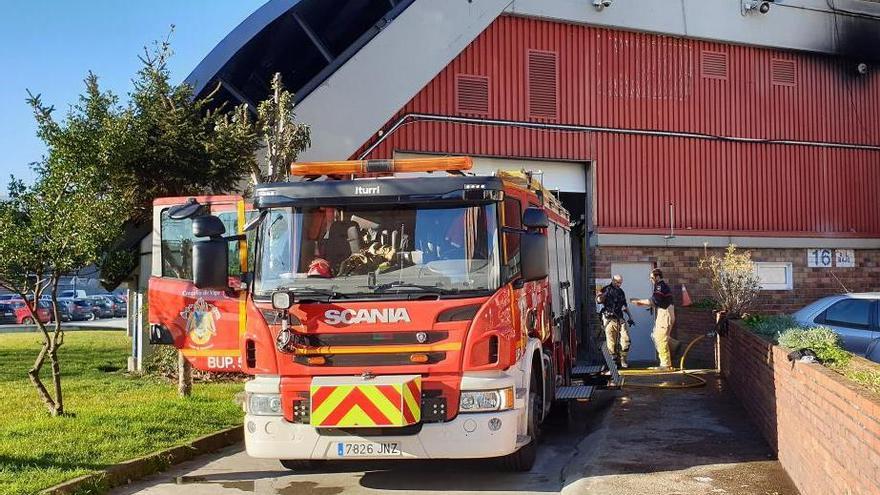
(304,40)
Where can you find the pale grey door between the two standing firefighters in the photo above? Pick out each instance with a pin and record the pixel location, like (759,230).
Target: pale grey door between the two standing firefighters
(636,284)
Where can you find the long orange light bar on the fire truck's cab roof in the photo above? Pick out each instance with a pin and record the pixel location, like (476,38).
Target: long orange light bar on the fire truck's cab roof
(357,167)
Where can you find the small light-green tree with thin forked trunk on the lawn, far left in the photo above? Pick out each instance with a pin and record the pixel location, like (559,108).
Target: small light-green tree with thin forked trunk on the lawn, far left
(48,230)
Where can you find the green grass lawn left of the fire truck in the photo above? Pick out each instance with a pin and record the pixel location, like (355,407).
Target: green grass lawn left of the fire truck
(113,416)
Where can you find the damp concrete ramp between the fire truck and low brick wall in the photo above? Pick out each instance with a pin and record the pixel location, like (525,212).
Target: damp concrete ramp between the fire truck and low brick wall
(688,441)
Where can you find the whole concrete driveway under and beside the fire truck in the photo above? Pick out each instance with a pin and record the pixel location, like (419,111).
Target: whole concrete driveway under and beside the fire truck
(637,441)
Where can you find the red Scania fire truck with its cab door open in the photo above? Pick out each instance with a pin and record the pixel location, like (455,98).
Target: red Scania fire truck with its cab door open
(383,313)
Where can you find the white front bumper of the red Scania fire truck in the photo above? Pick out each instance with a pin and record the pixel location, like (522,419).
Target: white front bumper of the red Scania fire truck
(468,436)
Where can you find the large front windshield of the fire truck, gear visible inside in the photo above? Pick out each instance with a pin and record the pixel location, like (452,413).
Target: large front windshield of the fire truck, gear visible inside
(379,250)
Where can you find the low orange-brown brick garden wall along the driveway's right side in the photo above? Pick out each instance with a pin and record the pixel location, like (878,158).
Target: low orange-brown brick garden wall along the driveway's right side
(824,429)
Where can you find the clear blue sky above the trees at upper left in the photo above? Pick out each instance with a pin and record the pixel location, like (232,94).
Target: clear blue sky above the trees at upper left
(48,46)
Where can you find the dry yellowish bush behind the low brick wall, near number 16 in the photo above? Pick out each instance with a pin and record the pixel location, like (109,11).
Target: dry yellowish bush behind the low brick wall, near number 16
(734,281)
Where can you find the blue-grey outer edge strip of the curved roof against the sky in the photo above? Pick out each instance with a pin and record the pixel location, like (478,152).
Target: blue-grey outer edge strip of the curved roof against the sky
(235,40)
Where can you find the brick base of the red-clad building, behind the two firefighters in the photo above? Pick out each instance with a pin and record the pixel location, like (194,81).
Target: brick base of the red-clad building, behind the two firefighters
(681,266)
